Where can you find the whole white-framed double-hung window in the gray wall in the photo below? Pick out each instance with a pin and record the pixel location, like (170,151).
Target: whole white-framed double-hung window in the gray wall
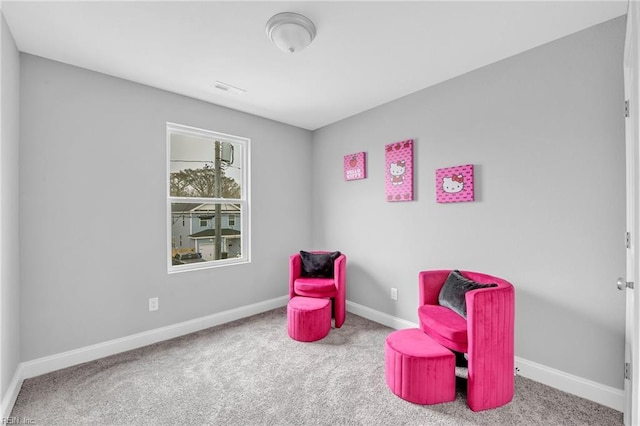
(207,201)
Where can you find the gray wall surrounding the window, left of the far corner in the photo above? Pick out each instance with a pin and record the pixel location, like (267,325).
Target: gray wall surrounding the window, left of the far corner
(93,209)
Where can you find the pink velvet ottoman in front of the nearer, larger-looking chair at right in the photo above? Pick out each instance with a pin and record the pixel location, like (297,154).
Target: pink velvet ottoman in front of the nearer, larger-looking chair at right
(418,369)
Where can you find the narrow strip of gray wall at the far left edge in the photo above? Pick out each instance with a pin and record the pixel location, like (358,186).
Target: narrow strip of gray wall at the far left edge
(9,218)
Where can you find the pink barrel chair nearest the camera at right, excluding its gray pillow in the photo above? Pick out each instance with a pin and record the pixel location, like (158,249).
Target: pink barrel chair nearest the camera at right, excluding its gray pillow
(486,335)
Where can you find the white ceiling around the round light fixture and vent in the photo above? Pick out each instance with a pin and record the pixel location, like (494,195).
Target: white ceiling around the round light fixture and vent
(366,53)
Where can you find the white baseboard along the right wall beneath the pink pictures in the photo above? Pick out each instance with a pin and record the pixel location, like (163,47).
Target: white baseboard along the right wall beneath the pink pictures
(587,389)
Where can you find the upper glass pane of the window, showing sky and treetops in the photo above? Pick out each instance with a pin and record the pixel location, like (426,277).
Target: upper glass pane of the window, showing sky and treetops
(198,163)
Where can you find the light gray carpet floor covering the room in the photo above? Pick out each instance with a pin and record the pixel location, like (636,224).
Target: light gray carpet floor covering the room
(249,372)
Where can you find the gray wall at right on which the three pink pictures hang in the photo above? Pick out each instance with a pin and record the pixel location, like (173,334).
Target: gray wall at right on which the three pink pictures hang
(545,132)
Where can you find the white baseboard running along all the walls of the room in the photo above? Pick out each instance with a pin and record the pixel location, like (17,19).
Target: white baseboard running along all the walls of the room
(593,391)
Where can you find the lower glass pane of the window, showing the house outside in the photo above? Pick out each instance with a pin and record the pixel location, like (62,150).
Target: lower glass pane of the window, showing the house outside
(204,232)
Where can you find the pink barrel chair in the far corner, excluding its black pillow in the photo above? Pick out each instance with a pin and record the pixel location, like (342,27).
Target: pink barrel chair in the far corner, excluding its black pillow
(333,288)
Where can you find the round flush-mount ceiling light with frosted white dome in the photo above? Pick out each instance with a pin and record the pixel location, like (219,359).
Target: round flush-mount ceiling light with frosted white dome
(290,31)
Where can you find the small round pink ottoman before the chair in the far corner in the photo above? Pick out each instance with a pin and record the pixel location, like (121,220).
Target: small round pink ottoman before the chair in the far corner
(308,318)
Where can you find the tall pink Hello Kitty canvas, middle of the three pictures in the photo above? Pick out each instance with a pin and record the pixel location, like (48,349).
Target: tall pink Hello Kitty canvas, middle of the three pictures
(399,171)
